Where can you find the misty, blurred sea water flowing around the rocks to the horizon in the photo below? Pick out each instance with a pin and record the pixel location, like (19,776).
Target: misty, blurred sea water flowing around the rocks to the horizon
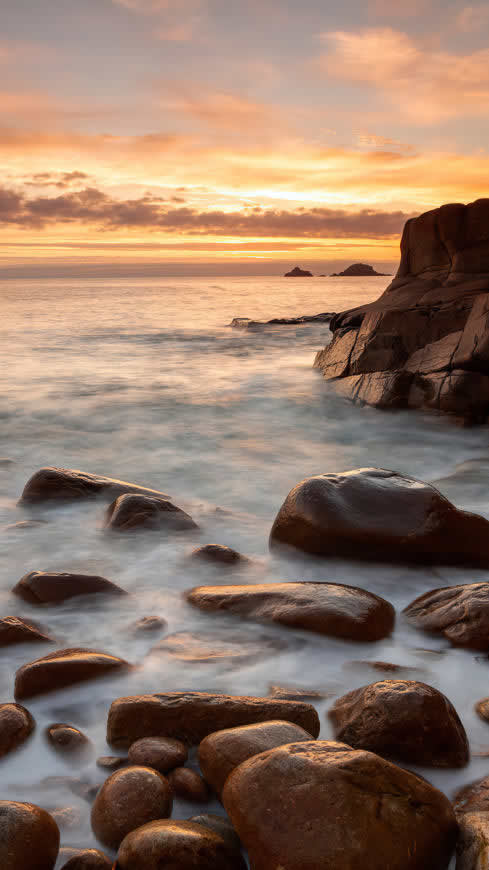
(145,381)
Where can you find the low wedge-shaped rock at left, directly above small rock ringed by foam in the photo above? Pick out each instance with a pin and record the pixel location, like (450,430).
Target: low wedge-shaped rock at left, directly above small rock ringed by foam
(63,668)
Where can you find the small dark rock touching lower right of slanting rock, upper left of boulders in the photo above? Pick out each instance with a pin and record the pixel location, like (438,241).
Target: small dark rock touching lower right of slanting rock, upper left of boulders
(129,513)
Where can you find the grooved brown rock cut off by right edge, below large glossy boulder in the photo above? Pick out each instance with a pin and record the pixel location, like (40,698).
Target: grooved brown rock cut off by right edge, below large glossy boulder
(459,613)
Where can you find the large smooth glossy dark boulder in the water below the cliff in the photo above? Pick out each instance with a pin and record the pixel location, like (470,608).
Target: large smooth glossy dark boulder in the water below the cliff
(371,513)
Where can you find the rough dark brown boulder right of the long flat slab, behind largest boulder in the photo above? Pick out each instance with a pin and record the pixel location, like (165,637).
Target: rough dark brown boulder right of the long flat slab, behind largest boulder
(402,719)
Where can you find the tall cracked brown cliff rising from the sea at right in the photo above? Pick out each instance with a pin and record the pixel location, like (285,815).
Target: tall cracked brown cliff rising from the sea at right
(425,342)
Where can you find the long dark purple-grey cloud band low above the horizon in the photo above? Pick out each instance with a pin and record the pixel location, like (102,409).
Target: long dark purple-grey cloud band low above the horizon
(92,206)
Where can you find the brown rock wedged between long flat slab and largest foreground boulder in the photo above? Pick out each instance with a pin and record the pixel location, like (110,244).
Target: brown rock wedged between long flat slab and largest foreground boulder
(221,752)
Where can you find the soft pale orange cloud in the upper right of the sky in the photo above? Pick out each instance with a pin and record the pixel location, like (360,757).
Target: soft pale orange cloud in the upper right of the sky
(424,85)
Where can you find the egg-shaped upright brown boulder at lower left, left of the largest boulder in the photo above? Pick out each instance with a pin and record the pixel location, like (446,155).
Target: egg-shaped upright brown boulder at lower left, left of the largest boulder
(129,798)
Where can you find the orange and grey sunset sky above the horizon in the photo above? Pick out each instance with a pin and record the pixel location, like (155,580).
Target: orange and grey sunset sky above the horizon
(194,136)
